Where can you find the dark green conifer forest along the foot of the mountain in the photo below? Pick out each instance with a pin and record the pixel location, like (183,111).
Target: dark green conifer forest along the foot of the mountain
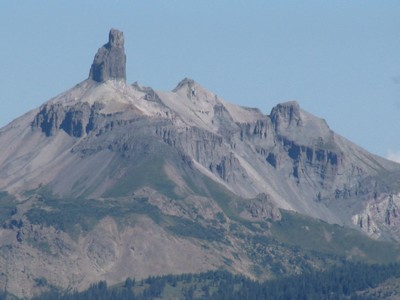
(347,281)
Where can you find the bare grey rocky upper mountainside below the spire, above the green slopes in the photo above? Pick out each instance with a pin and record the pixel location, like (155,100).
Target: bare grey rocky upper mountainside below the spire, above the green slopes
(290,155)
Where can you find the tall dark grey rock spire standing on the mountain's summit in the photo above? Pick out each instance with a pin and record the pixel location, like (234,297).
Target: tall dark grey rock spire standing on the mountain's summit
(110,60)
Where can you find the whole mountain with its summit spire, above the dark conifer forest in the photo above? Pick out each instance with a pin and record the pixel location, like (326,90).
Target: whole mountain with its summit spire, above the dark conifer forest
(109,180)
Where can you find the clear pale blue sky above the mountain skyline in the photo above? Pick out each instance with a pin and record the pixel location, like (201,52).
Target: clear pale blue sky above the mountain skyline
(339,59)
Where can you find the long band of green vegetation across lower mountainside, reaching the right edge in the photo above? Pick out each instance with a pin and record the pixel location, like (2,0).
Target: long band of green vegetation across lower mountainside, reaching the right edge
(293,245)
